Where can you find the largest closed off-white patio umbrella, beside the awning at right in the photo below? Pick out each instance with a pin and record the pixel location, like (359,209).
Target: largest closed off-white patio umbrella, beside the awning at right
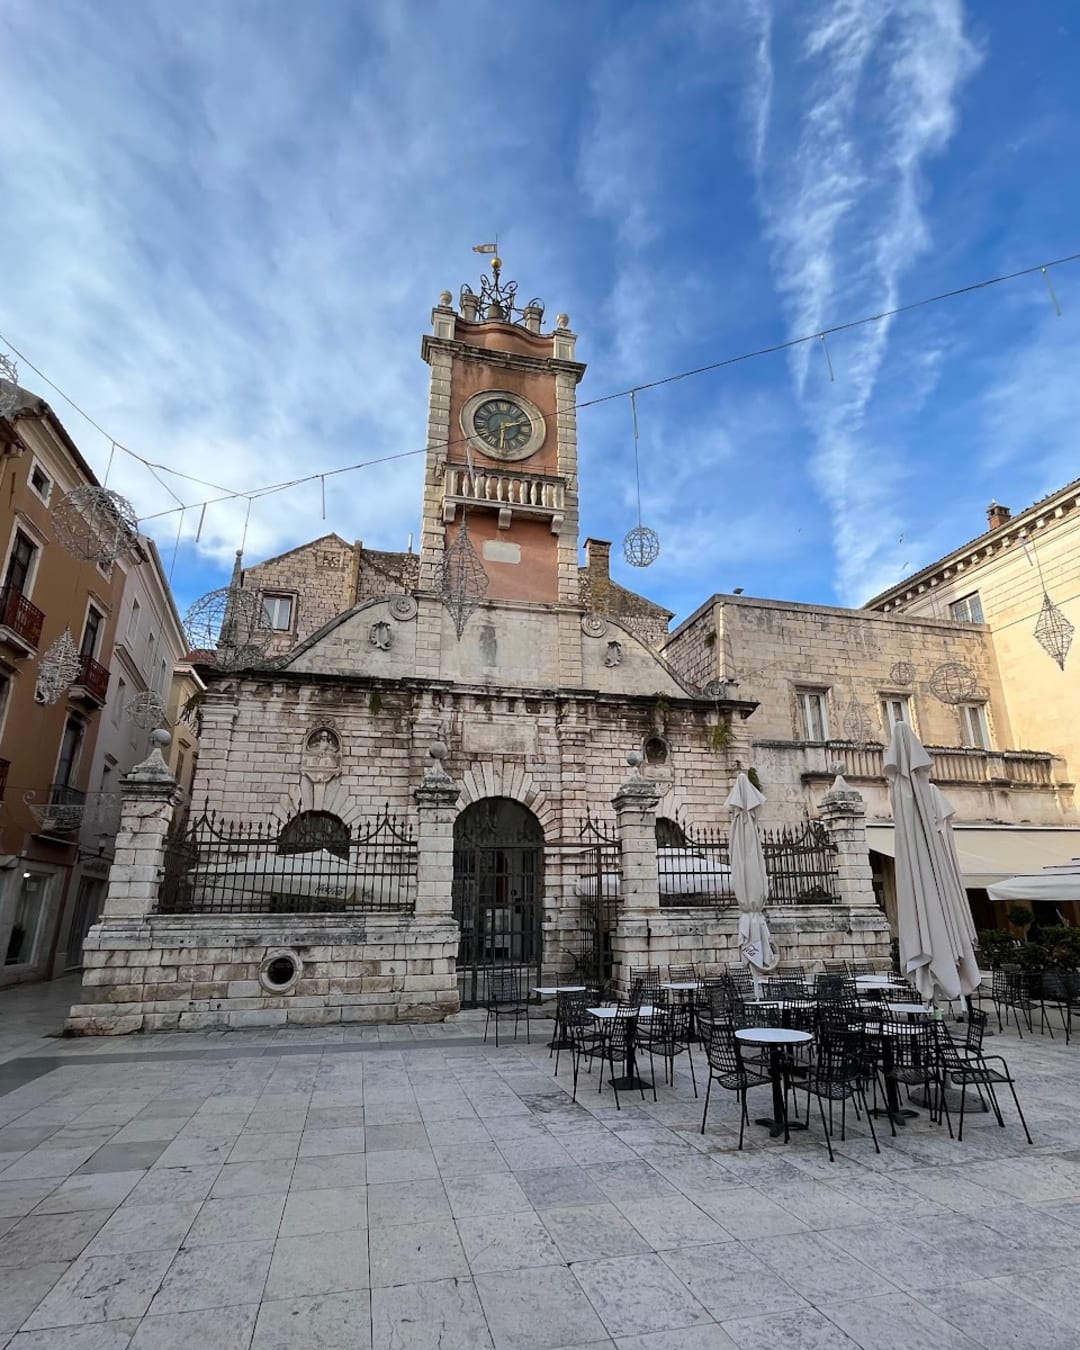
(934,916)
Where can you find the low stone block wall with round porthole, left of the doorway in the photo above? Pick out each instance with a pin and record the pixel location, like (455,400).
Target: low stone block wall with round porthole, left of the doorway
(178,974)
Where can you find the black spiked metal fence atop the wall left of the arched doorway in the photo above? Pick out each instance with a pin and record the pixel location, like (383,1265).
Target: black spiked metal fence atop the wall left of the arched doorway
(219,867)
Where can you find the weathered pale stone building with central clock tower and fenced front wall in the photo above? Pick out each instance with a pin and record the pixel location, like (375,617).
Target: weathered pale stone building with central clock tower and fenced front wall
(527,676)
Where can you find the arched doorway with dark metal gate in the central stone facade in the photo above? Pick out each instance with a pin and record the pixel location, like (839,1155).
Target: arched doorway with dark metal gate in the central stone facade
(499,875)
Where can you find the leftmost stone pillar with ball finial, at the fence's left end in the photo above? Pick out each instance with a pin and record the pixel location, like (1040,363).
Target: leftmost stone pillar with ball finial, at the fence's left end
(149,797)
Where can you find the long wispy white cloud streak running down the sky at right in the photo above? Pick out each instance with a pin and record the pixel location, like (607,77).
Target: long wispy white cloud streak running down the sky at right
(844,213)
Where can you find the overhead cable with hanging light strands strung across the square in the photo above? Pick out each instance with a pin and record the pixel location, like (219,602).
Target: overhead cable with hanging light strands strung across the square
(773,349)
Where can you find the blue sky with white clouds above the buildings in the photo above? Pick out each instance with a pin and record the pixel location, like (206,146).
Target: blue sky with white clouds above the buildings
(225,227)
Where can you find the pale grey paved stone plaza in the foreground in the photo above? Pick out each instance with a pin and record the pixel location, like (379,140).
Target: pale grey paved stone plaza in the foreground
(412,1189)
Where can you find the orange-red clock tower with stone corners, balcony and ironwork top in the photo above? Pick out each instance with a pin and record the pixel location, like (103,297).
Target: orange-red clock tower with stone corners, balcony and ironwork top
(503,445)
